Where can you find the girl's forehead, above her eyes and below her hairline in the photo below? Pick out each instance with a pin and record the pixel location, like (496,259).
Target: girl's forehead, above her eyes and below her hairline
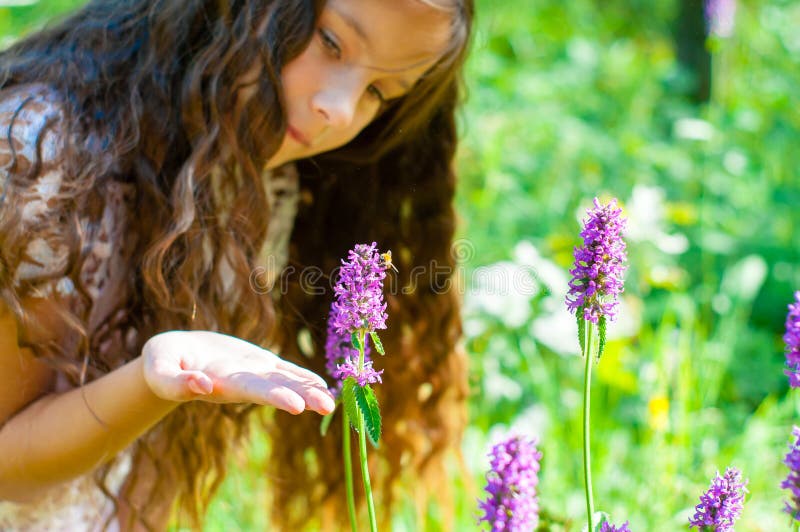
(396,35)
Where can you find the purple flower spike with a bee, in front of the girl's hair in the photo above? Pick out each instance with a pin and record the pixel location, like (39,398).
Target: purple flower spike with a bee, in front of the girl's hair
(359,302)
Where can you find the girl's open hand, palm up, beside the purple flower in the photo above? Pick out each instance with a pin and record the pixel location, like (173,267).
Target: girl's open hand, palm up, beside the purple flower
(187,365)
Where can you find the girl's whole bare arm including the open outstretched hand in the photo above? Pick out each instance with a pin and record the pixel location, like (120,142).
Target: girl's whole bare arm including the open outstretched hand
(62,436)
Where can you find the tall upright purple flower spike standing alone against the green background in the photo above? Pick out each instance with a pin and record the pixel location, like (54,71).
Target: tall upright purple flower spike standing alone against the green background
(599,264)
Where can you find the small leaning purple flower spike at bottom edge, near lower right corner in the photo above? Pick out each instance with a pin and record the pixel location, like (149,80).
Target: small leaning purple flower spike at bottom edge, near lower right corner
(721,505)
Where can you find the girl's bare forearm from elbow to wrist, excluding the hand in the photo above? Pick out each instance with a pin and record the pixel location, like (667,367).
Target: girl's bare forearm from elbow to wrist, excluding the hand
(60,437)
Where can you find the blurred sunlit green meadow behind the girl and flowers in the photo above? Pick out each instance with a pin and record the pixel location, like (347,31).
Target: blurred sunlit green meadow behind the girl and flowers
(571,100)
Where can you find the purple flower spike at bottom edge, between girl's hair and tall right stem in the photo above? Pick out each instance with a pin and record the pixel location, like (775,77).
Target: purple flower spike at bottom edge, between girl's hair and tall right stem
(512,503)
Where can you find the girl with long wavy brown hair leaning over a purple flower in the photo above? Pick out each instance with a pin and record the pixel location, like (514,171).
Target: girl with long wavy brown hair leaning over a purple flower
(170,170)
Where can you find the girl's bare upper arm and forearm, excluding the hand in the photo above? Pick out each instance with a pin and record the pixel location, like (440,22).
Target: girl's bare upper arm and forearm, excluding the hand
(62,436)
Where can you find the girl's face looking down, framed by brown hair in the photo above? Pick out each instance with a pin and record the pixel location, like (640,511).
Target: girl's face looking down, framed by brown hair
(364,54)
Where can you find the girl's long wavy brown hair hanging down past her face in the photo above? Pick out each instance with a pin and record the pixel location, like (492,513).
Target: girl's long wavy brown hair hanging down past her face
(151,92)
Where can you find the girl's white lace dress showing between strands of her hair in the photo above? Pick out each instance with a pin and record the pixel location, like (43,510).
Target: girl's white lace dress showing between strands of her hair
(37,117)
